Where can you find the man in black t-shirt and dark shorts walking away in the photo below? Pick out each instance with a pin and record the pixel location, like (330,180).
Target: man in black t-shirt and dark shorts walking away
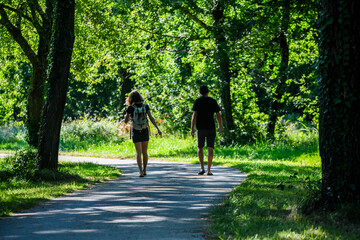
(203,117)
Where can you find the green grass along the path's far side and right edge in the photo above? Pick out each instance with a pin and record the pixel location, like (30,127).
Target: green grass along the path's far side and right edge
(268,204)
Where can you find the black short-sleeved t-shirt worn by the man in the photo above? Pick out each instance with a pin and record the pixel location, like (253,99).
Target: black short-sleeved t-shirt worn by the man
(205,108)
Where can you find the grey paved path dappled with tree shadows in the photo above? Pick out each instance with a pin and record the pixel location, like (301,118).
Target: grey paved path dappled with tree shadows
(171,202)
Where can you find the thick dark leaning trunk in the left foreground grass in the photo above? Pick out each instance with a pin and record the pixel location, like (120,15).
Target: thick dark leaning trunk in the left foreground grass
(63,41)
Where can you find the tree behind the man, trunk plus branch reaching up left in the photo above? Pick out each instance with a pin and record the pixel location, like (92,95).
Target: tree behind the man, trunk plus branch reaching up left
(219,31)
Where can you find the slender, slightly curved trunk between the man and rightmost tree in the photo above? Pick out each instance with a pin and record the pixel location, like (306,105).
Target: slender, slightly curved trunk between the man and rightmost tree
(284,52)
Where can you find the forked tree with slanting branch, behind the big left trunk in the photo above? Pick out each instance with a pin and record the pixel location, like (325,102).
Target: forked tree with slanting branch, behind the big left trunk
(14,16)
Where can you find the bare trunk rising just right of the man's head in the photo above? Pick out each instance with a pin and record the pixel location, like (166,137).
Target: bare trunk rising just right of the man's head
(223,65)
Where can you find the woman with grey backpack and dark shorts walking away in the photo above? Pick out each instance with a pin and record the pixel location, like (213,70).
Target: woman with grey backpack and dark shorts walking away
(138,111)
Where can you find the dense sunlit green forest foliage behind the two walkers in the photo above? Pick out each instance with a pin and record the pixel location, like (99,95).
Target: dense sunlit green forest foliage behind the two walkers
(259,58)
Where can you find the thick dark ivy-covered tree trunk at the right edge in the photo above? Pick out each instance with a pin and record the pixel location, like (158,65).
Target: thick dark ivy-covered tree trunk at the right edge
(339,122)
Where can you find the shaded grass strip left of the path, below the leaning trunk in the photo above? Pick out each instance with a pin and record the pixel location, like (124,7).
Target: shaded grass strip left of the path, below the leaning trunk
(17,194)
